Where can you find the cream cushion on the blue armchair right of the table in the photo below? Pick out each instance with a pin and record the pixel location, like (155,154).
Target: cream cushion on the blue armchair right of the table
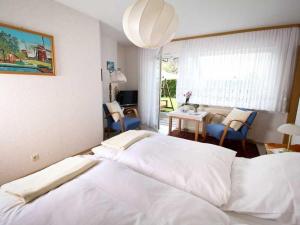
(237,114)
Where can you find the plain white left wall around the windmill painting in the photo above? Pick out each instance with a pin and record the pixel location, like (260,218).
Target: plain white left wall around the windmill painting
(55,117)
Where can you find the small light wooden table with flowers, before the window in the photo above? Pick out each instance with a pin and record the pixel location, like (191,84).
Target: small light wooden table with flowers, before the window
(199,117)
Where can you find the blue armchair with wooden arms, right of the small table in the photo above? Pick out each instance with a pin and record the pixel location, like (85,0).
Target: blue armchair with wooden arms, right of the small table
(222,132)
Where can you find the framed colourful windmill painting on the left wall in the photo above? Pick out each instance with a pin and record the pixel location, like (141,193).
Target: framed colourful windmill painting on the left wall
(26,52)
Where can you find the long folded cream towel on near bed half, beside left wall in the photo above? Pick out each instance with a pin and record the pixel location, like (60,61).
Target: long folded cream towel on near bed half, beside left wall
(30,187)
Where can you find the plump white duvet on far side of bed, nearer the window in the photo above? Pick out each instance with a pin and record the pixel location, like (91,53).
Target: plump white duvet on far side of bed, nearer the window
(201,169)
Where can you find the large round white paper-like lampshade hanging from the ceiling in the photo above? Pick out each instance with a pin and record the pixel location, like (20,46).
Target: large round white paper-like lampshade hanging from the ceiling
(150,23)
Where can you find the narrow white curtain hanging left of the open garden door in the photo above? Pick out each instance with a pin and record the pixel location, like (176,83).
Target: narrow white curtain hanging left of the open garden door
(149,87)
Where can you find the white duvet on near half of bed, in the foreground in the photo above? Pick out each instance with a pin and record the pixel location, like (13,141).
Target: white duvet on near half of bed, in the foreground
(111,194)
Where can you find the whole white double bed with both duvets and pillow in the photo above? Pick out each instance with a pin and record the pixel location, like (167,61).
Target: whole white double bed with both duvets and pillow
(162,180)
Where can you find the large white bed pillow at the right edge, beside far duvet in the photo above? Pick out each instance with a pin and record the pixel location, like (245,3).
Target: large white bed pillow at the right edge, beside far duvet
(267,187)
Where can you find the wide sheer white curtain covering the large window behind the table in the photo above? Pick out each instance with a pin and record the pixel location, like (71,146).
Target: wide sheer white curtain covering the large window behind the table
(251,70)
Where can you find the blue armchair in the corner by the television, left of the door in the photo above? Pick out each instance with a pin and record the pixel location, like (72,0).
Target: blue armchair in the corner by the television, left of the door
(123,124)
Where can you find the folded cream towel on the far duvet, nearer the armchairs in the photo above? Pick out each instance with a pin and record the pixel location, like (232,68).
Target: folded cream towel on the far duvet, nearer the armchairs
(126,139)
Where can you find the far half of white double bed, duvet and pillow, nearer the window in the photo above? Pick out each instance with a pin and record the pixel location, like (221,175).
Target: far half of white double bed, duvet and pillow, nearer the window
(264,190)
